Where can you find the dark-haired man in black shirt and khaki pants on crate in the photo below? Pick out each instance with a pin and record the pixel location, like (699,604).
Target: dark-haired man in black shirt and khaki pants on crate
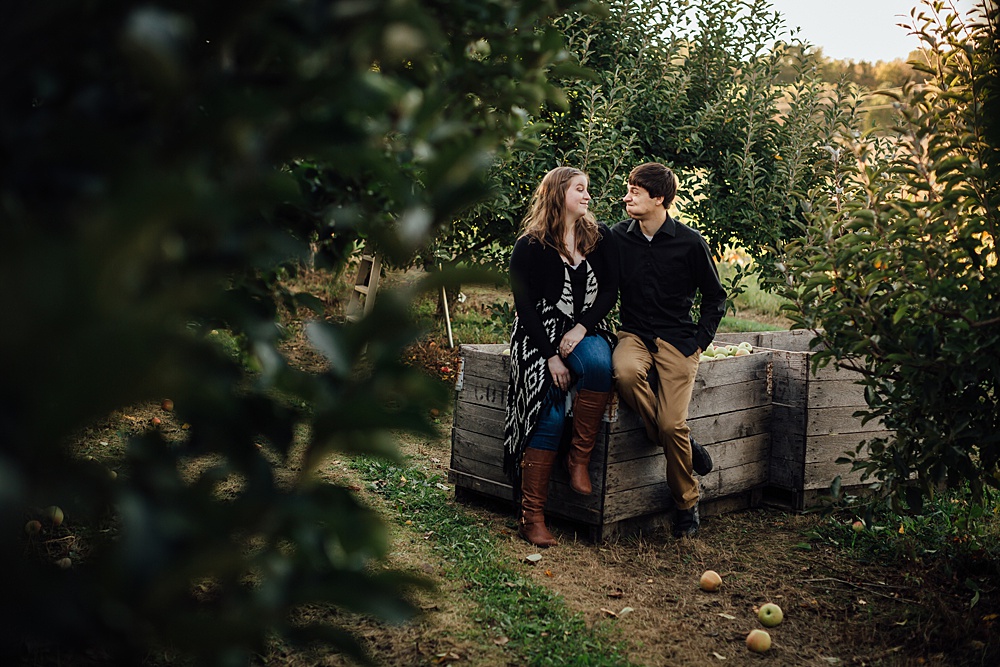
(663,265)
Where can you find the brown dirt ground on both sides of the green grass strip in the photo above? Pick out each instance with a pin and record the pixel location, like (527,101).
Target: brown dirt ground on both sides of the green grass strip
(838,611)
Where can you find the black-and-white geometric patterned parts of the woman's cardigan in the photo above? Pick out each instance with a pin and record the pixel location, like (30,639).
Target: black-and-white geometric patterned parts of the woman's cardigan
(530,387)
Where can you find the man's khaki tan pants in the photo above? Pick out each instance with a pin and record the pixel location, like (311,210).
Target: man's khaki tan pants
(664,412)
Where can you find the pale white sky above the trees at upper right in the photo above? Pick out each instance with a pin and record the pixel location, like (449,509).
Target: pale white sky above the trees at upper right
(856,29)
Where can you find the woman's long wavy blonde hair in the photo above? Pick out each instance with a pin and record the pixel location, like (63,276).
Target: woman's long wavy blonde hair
(545,220)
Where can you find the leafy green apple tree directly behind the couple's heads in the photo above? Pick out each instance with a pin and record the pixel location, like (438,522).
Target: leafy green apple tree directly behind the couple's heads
(714,88)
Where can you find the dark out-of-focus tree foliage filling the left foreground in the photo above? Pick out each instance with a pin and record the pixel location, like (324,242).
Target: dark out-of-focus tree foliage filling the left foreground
(164,164)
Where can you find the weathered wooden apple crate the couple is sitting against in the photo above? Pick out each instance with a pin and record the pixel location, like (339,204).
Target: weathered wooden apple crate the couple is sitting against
(730,414)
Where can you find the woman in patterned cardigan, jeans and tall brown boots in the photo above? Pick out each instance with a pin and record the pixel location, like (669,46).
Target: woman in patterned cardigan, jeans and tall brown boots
(564,275)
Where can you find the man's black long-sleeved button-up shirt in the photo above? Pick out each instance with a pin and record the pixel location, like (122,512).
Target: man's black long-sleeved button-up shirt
(659,280)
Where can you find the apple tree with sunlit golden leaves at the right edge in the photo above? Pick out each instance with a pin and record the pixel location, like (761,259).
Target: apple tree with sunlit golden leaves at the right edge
(897,270)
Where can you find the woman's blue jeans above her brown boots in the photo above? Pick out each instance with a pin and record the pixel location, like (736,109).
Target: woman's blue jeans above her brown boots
(590,364)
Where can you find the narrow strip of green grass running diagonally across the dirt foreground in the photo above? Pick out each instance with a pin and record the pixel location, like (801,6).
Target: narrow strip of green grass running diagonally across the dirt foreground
(532,623)
